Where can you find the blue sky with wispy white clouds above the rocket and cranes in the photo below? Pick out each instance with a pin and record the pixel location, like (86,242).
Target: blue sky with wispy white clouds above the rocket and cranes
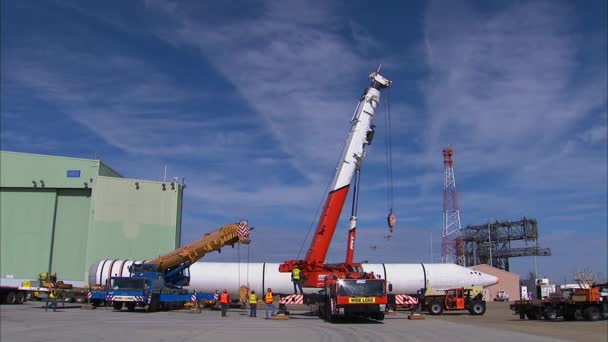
(251,102)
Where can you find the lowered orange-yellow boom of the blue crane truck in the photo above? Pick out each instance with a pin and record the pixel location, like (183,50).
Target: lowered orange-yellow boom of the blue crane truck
(189,254)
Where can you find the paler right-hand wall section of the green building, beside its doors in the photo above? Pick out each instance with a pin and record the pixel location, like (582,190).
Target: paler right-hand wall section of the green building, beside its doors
(133,221)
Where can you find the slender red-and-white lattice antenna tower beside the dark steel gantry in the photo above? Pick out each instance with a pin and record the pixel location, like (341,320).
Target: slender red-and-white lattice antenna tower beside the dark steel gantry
(451,239)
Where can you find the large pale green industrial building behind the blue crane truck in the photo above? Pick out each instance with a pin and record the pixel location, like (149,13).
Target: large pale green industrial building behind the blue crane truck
(62,215)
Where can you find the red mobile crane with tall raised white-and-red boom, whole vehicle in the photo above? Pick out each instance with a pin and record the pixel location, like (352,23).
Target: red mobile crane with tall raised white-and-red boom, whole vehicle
(346,289)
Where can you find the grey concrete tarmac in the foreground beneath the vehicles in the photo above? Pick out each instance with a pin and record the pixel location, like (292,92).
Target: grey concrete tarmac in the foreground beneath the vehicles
(30,322)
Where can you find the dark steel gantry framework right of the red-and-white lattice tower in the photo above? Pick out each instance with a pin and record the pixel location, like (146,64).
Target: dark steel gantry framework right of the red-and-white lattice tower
(494,243)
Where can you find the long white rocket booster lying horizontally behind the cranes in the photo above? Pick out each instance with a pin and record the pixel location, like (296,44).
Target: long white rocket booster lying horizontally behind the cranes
(207,277)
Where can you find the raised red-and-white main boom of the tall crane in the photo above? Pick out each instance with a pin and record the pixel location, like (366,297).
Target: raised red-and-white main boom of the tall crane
(361,134)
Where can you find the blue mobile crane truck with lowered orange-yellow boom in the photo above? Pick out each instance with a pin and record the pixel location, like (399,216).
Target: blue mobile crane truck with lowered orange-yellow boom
(159,283)
